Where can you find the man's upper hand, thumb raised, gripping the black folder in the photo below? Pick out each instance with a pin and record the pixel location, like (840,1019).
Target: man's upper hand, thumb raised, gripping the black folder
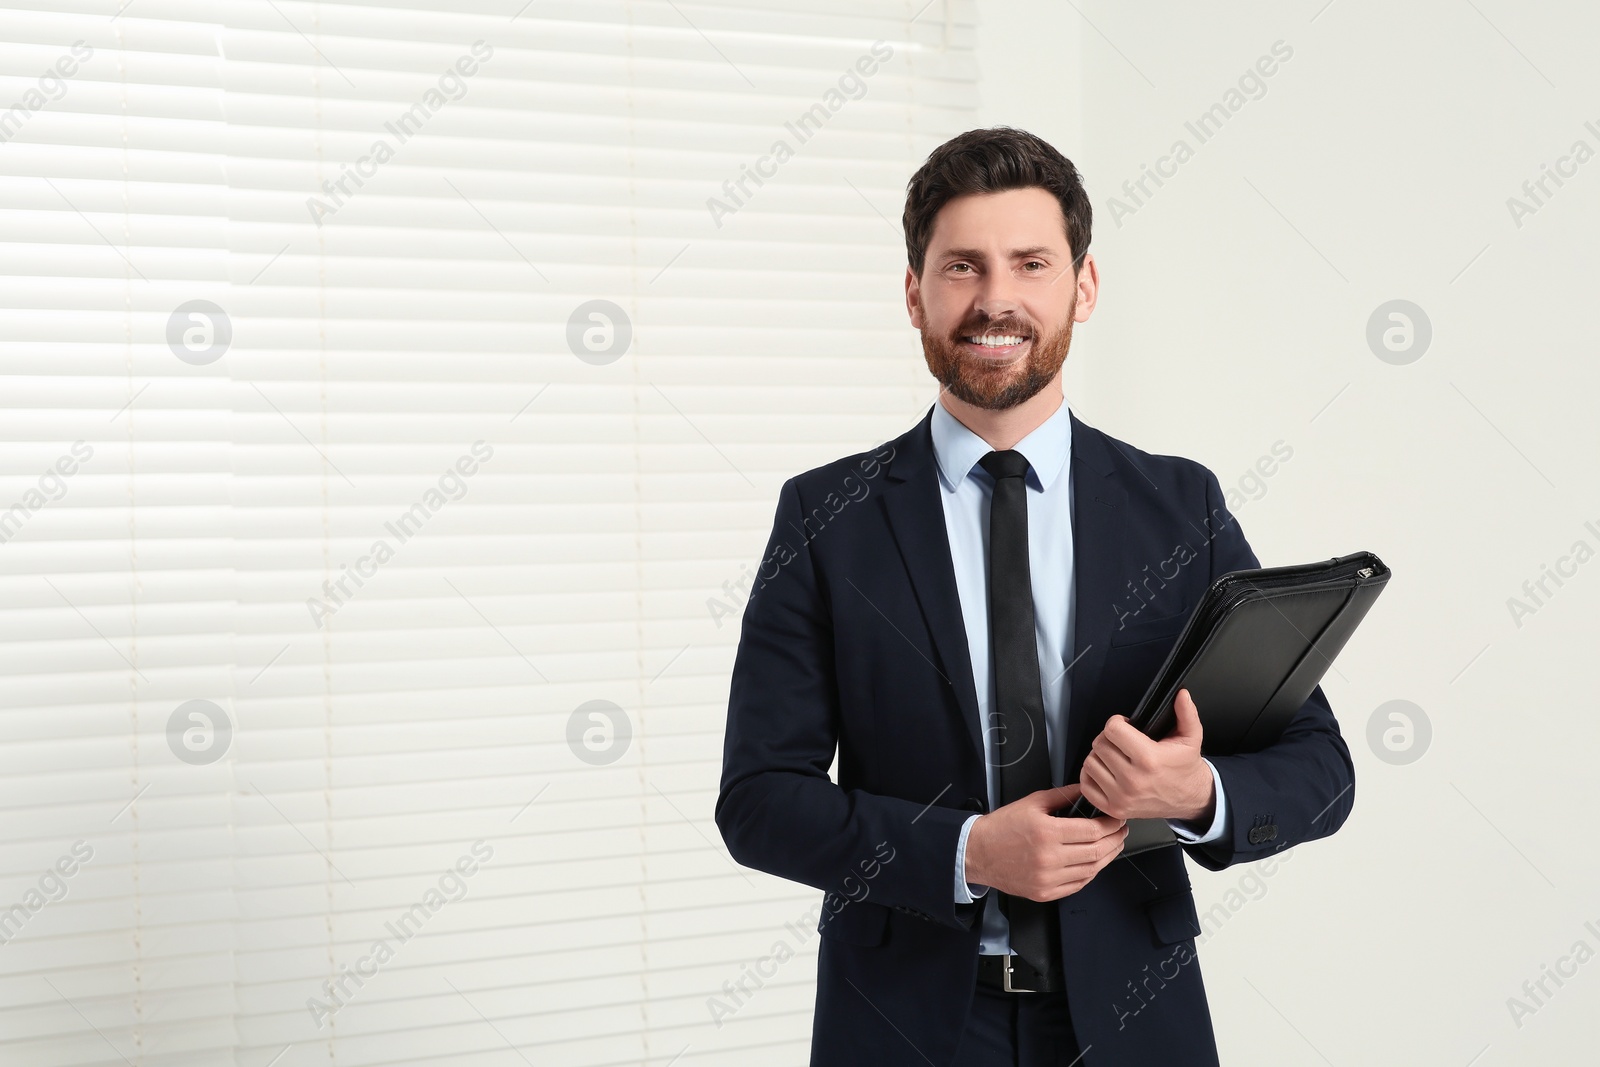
(1130,777)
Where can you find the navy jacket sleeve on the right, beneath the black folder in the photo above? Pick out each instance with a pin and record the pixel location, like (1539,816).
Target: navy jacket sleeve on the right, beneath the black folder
(1298,789)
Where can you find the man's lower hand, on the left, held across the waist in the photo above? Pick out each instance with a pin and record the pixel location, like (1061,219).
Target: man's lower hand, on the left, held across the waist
(1023,850)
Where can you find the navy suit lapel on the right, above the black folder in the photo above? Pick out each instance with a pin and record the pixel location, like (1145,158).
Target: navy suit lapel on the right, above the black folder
(1100,510)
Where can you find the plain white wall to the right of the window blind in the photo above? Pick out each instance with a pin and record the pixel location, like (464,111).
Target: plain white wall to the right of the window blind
(1234,310)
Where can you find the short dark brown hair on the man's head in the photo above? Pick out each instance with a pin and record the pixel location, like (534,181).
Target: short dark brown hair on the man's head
(993,161)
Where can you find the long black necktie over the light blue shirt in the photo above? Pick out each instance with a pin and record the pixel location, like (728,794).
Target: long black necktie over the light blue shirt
(1018,716)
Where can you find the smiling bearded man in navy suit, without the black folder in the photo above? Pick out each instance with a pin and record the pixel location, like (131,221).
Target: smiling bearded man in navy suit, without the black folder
(998,577)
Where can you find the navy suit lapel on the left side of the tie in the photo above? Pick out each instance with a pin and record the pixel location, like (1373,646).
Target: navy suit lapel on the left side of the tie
(911,497)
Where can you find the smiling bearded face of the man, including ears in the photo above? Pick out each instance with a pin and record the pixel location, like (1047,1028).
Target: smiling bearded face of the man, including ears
(998,297)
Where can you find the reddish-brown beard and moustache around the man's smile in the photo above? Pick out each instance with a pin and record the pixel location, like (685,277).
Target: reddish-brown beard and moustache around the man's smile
(990,386)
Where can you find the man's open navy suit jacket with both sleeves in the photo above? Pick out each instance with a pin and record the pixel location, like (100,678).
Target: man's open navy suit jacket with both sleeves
(854,639)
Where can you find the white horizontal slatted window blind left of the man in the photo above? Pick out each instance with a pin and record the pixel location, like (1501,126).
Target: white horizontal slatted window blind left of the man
(394,406)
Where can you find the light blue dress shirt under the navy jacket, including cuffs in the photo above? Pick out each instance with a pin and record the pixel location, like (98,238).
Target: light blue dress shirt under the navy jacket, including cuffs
(966,495)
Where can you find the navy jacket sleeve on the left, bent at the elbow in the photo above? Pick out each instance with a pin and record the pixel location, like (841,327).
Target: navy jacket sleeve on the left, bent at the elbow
(778,810)
